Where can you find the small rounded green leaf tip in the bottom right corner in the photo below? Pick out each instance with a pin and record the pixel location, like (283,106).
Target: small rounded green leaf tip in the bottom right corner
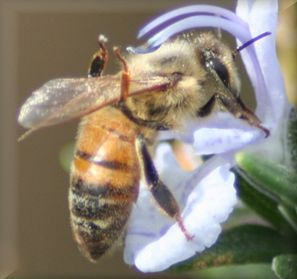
(285,266)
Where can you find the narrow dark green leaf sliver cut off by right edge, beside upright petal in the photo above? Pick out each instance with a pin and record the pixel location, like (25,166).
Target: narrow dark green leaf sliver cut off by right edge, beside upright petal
(292,136)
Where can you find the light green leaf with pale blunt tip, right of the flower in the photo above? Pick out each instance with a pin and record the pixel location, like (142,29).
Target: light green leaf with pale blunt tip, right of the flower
(277,179)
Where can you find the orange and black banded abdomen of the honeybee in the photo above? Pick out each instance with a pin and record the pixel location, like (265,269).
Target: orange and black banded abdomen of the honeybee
(104,180)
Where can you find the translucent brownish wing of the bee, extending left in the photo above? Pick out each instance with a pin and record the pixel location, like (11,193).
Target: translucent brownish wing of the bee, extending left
(60,100)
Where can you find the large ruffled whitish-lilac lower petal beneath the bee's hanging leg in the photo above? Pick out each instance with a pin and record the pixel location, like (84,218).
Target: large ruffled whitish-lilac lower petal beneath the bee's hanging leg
(150,237)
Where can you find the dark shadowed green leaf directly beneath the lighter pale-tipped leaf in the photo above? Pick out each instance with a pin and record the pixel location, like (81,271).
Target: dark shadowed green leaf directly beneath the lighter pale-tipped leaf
(262,203)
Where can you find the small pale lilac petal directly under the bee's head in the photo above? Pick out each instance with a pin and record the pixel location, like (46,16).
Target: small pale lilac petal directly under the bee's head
(216,134)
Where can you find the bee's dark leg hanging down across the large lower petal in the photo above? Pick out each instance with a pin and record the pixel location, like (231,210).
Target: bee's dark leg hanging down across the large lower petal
(160,191)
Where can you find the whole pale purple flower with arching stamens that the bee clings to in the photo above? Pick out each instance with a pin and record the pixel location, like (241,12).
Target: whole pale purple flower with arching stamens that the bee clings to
(206,196)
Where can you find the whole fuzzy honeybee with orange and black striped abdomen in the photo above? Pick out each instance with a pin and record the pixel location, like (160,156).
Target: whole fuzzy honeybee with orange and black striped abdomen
(187,77)
